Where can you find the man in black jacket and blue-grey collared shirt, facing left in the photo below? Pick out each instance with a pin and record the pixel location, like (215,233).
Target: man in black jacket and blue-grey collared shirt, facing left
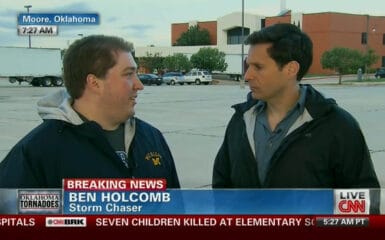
(288,135)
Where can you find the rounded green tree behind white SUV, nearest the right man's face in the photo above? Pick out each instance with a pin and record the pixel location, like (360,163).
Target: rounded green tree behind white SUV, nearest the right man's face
(209,59)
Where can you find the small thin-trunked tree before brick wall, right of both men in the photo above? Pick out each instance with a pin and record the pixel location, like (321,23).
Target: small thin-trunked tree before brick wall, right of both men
(342,60)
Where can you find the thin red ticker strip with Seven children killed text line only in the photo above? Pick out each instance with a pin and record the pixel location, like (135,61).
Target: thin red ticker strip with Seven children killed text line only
(213,221)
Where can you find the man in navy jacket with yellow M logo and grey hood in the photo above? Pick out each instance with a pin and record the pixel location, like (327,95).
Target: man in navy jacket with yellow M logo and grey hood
(89,131)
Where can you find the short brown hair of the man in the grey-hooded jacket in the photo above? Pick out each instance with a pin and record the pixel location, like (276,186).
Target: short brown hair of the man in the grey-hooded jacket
(93,54)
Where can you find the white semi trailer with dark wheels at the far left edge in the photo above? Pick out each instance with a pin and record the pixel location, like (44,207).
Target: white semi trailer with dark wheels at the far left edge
(37,66)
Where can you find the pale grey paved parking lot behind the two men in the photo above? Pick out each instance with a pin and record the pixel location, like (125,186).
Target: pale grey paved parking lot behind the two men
(193,119)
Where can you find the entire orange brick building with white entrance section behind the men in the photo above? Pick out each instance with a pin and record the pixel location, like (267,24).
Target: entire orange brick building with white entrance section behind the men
(327,30)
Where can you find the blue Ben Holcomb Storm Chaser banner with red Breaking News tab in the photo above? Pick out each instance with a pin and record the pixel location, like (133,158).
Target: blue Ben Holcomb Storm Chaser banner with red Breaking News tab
(150,197)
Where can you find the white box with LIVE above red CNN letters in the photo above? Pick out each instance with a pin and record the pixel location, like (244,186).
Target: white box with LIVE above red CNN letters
(351,201)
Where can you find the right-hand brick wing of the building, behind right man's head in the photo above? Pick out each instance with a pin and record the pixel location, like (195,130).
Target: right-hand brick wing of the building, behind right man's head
(329,29)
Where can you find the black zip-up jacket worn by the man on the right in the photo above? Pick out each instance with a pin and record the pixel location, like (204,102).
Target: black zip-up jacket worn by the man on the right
(326,149)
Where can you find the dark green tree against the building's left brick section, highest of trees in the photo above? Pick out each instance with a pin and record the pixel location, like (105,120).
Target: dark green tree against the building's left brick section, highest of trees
(194,36)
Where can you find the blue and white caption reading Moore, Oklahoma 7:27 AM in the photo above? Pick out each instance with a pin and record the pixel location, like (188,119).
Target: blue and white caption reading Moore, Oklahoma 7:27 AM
(46,24)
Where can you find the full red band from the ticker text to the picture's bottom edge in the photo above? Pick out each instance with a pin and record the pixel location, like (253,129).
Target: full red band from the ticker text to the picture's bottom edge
(216,226)
